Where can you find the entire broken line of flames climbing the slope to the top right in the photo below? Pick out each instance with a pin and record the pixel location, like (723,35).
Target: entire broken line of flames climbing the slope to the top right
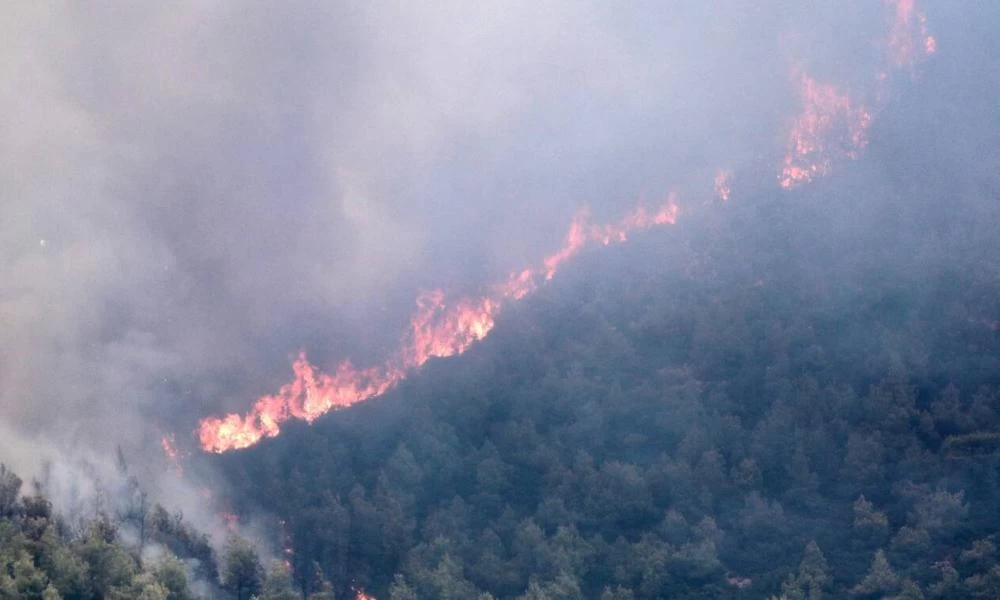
(831,126)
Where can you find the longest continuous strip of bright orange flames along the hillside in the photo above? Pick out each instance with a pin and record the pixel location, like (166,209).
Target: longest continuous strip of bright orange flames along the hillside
(439,328)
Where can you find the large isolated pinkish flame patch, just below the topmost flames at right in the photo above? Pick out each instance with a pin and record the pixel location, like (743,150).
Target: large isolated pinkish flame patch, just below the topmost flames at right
(831,125)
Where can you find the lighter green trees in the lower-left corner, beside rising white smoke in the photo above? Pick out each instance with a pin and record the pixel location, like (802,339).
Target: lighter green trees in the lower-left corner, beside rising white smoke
(45,557)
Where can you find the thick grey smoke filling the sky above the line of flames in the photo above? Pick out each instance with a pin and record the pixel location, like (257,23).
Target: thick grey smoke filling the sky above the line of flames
(193,192)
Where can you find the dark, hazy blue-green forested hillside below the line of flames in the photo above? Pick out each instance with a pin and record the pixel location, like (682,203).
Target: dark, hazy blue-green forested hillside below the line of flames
(792,395)
